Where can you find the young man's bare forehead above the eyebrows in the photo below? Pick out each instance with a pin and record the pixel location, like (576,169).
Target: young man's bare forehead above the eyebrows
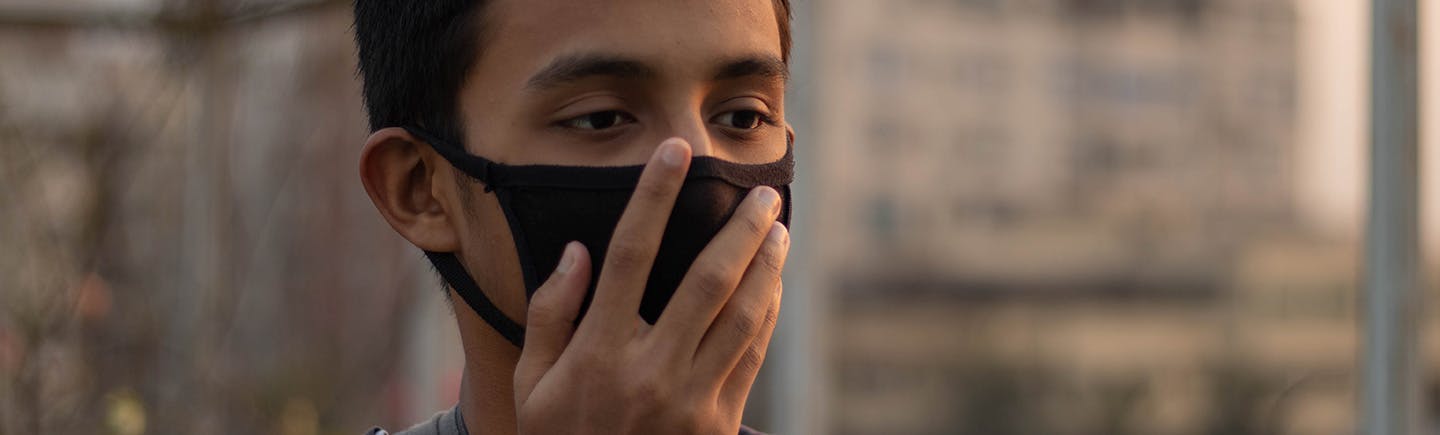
(528,34)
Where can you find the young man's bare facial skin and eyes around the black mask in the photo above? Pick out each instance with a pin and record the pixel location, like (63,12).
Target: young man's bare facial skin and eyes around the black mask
(603,83)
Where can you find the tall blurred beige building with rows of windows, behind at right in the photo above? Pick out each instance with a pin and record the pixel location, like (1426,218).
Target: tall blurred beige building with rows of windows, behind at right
(1085,138)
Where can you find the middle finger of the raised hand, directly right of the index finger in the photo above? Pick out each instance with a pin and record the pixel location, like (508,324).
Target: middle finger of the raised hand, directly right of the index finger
(716,273)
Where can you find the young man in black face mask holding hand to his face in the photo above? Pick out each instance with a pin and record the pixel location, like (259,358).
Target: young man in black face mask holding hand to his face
(604,184)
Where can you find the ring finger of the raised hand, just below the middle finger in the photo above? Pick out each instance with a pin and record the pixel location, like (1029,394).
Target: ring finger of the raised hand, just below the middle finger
(748,315)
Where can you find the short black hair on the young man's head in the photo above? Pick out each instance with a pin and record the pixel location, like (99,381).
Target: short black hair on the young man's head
(415,57)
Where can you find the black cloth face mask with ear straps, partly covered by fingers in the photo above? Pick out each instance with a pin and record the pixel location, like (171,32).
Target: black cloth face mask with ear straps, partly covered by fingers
(548,207)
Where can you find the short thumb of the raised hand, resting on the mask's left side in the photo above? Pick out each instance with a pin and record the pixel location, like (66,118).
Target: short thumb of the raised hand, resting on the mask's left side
(551,319)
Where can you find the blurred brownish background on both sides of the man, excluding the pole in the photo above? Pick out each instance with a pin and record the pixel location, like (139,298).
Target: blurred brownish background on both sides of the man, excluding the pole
(1014,217)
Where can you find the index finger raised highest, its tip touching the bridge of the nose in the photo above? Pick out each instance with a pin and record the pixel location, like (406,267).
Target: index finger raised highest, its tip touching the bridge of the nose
(637,237)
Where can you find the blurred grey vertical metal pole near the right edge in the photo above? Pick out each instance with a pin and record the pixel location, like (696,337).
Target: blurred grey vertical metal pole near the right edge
(1392,302)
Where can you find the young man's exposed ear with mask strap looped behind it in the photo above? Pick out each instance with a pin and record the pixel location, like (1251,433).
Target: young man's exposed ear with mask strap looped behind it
(404,181)
